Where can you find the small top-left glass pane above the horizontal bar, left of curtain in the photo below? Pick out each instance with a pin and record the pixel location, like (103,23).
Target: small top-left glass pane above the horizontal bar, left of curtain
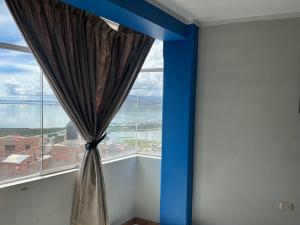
(8,28)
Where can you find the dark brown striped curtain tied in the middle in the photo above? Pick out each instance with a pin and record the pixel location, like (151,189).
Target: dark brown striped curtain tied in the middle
(91,69)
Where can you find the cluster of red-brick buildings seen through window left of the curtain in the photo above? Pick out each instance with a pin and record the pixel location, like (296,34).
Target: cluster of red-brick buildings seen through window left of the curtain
(21,156)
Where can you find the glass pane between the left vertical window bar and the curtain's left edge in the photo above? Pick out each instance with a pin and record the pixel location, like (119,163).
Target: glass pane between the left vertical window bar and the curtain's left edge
(63,146)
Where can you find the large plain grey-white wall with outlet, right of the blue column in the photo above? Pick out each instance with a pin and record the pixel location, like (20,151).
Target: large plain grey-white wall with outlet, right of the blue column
(247,154)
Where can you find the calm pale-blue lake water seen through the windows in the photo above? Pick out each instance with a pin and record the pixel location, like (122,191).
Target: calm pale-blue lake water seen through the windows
(28,115)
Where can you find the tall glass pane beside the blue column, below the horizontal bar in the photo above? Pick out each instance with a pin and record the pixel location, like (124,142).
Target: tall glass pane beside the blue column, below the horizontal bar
(148,90)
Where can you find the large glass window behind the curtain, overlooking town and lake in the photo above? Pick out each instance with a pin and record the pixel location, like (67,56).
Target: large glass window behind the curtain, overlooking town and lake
(36,135)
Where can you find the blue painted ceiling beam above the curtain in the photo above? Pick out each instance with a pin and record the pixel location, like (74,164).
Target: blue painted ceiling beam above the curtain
(136,14)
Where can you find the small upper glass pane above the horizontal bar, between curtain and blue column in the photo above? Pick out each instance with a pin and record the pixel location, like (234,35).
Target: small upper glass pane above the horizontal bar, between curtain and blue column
(155,56)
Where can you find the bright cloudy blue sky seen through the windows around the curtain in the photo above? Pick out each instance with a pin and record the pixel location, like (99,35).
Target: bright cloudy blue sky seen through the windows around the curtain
(20,76)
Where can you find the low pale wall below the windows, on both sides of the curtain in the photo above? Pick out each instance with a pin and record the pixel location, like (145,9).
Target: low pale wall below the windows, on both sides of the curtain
(129,183)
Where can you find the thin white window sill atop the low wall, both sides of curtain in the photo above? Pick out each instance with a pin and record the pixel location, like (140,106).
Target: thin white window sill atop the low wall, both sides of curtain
(53,173)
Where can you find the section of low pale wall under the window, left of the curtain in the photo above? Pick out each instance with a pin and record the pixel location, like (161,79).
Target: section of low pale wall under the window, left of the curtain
(43,202)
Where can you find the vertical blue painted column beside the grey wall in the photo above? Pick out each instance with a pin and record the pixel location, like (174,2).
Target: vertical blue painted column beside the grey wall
(180,73)
